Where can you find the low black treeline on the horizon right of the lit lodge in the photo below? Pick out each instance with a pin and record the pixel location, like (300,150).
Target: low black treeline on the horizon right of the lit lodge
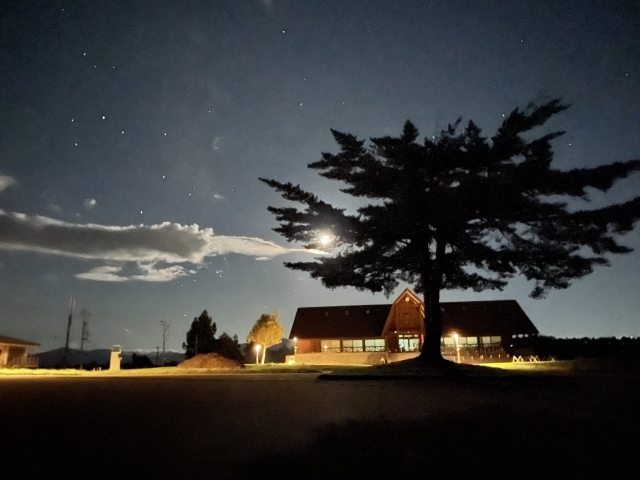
(572,348)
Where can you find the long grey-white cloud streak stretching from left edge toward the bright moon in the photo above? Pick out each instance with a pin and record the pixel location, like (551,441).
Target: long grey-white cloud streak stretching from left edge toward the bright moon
(156,252)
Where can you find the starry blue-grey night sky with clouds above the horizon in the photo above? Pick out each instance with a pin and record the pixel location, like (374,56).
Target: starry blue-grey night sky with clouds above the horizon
(132,136)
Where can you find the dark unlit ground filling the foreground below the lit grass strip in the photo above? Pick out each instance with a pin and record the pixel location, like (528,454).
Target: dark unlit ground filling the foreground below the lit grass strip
(294,427)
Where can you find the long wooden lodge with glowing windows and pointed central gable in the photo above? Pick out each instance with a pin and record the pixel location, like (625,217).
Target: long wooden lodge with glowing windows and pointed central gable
(478,331)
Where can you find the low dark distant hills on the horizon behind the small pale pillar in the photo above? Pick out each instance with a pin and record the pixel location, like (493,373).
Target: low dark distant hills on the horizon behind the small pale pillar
(75,358)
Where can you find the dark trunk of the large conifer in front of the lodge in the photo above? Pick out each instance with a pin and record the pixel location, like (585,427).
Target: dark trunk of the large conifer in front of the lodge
(432,281)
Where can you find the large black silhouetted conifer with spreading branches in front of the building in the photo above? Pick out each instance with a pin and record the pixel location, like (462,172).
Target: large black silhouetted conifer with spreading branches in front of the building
(457,212)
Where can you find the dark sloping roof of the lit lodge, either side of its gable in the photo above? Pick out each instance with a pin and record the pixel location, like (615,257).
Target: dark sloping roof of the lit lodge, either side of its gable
(484,318)
